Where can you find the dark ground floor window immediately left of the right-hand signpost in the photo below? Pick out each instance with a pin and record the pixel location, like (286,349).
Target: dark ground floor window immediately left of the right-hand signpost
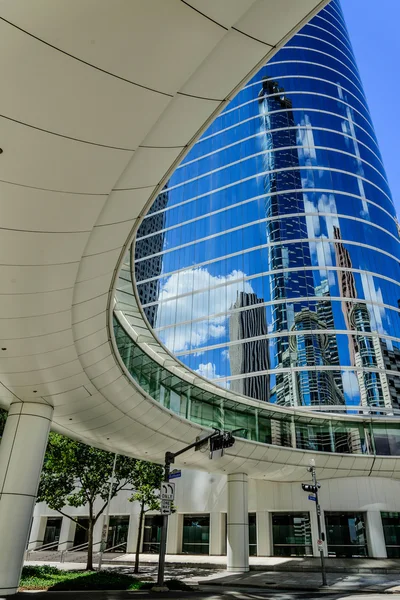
(291,533)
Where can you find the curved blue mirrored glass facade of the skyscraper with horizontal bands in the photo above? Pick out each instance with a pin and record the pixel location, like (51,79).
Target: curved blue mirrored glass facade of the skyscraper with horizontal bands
(270,262)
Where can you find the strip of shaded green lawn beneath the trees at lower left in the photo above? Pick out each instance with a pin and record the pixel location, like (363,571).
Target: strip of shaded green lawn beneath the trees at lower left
(44,577)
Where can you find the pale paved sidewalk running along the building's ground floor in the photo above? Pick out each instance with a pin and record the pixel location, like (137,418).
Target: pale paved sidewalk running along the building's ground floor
(295,574)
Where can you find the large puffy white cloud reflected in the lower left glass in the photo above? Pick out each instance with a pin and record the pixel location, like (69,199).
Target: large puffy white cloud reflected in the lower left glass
(189,307)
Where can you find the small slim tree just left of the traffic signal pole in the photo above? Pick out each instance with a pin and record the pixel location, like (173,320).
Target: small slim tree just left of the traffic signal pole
(147,478)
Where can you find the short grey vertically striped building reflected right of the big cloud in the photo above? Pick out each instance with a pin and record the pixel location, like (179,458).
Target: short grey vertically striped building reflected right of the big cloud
(252,356)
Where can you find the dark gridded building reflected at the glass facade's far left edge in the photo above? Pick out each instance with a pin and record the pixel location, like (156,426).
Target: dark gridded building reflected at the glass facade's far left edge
(149,242)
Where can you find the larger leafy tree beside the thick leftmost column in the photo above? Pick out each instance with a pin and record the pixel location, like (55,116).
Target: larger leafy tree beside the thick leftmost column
(75,474)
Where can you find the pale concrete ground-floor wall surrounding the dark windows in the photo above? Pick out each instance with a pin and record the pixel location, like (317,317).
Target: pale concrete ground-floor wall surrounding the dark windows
(200,492)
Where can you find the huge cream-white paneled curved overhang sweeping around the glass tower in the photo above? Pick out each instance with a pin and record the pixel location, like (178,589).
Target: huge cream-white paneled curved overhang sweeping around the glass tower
(99,105)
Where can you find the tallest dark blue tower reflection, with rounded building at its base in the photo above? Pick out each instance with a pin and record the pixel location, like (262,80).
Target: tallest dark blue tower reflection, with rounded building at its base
(286,231)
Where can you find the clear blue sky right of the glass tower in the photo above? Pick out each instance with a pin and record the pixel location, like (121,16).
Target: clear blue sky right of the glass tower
(373,28)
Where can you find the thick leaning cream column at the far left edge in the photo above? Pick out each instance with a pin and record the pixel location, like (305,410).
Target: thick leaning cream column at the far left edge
(21,457)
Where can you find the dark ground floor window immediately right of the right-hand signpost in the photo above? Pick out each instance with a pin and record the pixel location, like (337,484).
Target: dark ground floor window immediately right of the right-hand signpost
(345,533)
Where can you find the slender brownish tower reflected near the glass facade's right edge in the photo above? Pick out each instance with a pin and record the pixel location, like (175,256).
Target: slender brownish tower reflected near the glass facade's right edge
(365,350)
